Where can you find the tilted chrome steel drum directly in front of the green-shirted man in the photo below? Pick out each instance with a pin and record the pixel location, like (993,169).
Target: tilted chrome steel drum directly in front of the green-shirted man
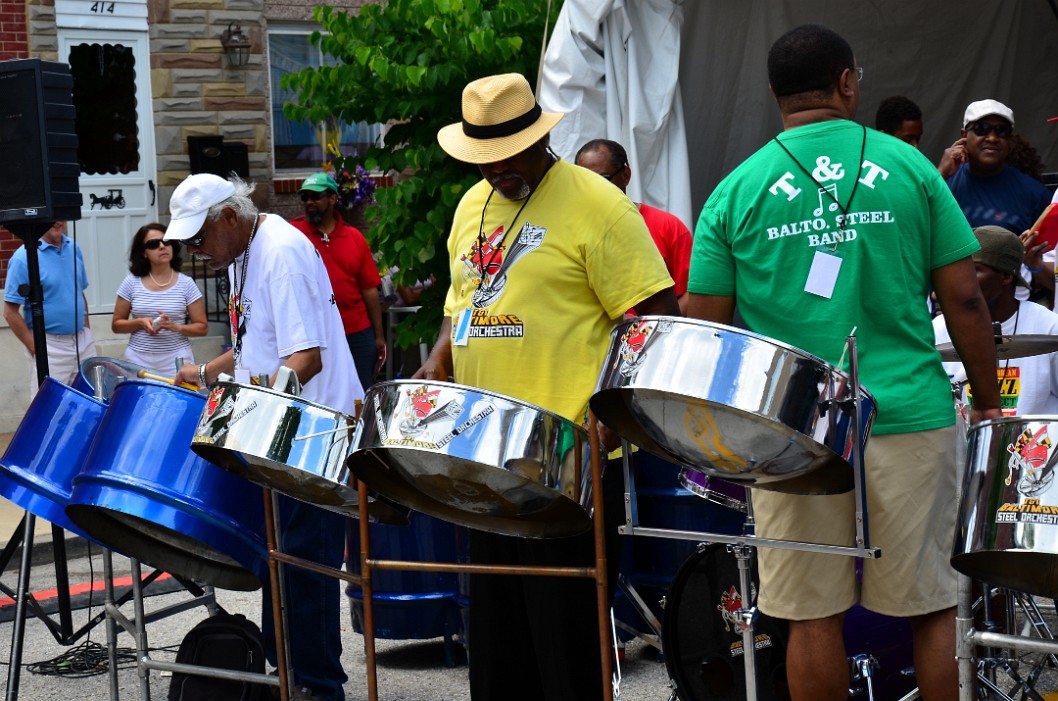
(732,403)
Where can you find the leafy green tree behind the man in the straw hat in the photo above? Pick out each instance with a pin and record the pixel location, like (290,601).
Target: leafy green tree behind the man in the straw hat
(406,63)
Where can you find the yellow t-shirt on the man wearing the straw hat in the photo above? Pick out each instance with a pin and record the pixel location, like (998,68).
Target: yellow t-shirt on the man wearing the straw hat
(555,282)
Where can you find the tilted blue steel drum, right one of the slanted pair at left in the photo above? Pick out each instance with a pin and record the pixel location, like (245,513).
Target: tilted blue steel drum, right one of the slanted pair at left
(145,494)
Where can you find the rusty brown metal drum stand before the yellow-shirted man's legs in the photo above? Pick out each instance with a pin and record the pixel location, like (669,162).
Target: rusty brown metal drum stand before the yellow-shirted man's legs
(278,559)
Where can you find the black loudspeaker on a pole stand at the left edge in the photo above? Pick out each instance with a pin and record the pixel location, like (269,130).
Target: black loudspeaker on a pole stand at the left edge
(39,143)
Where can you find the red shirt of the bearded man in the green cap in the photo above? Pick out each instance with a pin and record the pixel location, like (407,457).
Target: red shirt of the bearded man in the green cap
(351,267)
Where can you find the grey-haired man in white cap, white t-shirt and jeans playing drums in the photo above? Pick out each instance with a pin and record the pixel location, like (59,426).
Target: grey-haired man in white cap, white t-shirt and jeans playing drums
(283,313)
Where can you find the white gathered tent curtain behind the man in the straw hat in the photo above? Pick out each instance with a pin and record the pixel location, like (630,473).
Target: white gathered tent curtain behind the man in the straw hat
(603,70)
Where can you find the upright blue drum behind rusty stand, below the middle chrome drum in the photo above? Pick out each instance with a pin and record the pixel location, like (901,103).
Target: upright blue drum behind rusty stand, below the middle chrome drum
(409,605)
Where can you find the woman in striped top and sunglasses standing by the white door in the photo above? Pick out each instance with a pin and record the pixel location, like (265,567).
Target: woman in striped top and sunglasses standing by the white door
(158,305)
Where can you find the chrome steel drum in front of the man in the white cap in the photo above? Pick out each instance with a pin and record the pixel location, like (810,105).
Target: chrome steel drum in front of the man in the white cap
(285,444)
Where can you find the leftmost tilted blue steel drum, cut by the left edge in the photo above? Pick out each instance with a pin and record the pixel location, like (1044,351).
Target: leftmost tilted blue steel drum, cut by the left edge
(48,451)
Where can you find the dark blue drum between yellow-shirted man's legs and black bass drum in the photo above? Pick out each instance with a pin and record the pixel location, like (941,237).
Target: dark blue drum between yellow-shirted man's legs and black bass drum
(650,564)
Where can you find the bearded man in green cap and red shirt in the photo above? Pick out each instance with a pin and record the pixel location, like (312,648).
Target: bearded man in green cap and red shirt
(353,271)
